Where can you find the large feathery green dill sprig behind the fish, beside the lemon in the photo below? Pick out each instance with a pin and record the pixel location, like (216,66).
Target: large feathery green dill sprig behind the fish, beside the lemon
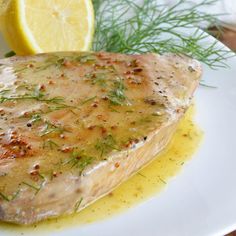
(125,26)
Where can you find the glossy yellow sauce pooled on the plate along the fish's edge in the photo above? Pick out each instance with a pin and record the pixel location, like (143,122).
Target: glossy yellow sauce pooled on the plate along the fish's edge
(140,187)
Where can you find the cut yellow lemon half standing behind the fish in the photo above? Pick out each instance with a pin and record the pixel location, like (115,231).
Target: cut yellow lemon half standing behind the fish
(36,26)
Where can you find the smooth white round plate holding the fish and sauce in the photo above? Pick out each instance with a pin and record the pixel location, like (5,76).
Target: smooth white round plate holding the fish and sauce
(201,200)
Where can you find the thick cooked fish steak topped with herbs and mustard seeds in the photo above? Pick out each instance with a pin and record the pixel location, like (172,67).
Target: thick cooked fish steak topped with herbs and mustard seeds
(76,125)
